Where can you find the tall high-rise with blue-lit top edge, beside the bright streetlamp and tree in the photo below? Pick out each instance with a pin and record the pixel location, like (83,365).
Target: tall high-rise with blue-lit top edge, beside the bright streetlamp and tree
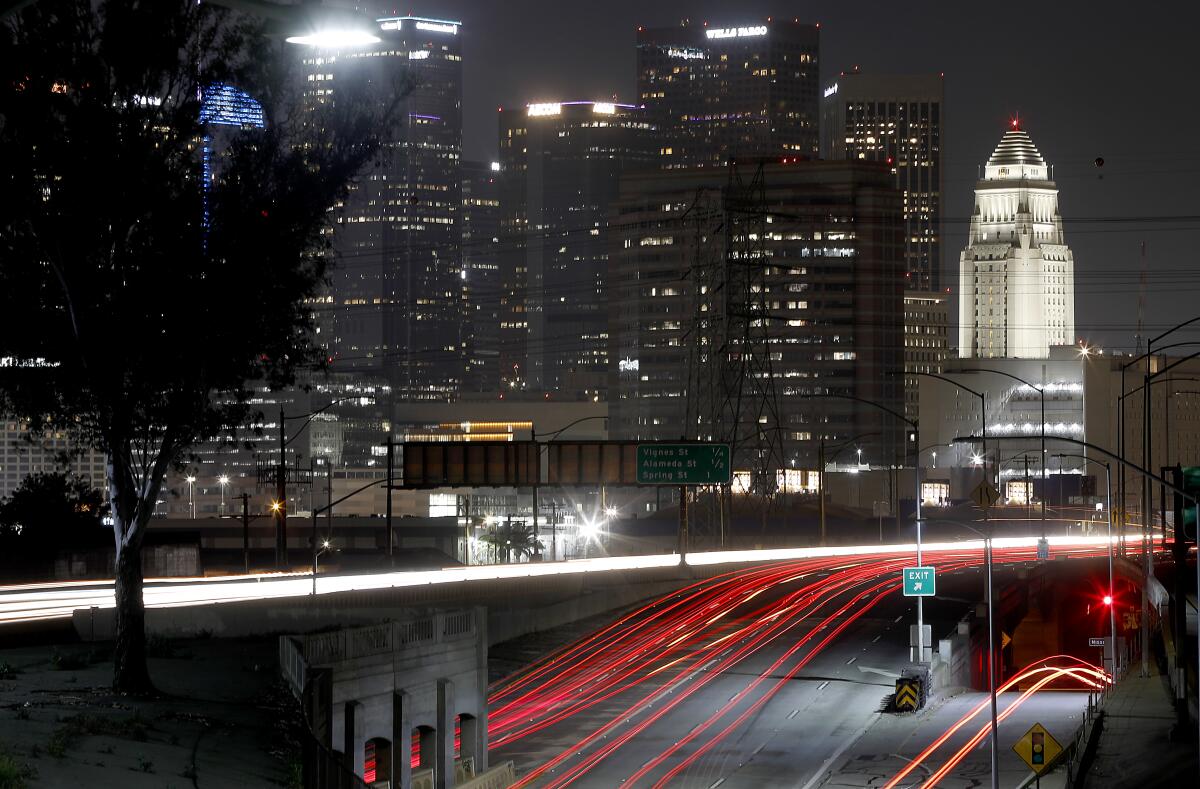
(395,303)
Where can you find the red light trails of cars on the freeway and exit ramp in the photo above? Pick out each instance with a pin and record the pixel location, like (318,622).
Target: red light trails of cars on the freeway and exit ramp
(655,659)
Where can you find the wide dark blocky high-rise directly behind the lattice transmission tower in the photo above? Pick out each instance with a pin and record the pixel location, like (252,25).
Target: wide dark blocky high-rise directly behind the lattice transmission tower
(832,280)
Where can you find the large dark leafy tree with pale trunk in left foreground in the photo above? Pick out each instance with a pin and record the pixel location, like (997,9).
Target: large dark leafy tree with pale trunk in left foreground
(124,317)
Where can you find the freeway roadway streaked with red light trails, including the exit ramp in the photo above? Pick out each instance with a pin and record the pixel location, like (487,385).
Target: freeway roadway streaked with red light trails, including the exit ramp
(771,677)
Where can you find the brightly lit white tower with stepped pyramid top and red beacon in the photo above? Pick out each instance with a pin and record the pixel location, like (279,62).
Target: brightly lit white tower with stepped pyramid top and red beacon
(1017,274)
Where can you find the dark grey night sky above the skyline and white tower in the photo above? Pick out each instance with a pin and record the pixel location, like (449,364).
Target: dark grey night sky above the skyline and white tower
(1119,81)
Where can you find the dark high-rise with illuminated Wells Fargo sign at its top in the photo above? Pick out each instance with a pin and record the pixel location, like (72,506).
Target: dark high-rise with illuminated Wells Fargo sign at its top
(747,92)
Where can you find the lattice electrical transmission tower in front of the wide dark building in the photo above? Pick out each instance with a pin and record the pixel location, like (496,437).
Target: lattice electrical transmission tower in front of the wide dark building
(731,390)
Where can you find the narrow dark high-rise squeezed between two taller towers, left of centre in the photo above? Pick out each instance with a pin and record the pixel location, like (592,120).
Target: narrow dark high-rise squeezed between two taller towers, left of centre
(482,273)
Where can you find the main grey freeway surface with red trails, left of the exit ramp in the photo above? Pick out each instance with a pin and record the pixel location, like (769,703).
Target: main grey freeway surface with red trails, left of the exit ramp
(766,709)
